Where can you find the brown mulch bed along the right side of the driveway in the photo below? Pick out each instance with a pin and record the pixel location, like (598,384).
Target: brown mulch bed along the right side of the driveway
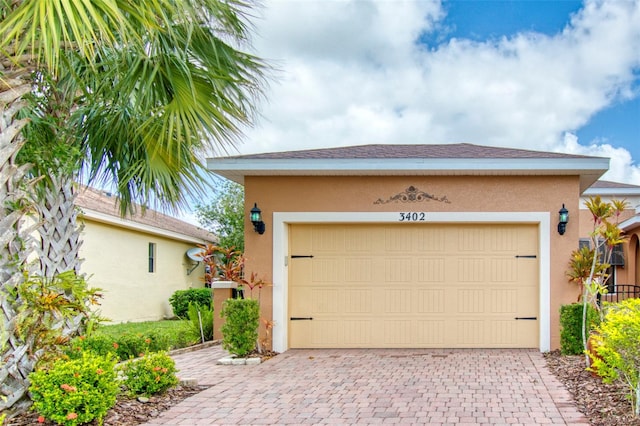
(603,404)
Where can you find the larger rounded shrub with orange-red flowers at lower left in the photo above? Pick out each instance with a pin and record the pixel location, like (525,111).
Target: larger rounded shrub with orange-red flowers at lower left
(76,391)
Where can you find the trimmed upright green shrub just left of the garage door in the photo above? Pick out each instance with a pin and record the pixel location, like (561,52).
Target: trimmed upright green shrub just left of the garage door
(240,330)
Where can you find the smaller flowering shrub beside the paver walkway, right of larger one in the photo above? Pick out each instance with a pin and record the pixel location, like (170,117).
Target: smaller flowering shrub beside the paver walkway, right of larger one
(154,373)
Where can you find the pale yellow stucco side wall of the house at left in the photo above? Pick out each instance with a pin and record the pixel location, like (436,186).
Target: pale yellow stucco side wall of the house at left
(116,260)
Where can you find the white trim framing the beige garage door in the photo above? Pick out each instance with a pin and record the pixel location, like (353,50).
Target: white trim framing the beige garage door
(281,220)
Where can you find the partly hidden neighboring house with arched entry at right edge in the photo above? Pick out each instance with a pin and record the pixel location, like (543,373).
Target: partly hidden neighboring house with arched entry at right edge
(625,272)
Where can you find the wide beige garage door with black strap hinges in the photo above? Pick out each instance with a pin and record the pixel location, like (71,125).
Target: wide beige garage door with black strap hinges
(413,285)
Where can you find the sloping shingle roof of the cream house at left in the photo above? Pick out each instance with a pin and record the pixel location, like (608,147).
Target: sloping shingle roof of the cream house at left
(102,202)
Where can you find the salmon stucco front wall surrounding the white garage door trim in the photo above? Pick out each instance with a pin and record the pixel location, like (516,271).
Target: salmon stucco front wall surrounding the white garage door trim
(474,194)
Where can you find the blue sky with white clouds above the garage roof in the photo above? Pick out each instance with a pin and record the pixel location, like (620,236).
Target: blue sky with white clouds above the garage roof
(560,76)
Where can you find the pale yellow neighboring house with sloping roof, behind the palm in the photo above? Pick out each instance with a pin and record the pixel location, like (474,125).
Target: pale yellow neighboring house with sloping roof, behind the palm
(138,261)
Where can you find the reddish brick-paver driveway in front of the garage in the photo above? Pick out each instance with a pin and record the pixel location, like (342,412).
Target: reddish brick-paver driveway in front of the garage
(375,386)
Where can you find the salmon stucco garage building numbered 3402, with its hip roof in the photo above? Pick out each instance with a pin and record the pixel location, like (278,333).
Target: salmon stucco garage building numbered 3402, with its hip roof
(434,246)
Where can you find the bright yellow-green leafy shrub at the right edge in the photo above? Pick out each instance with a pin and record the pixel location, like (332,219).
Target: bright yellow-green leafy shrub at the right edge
(617,344)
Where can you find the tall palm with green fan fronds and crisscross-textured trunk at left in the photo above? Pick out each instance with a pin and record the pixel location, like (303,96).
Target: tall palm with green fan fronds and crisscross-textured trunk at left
(144,90)
